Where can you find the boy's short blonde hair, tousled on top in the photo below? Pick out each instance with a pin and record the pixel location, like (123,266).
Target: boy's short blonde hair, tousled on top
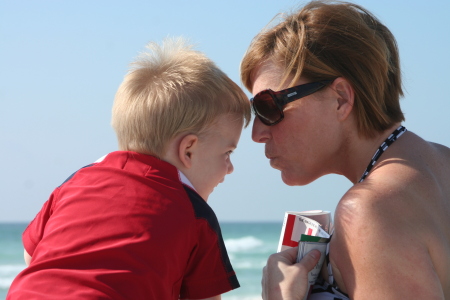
(172,89)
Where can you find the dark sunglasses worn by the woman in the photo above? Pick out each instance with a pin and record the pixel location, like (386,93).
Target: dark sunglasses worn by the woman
(268,105)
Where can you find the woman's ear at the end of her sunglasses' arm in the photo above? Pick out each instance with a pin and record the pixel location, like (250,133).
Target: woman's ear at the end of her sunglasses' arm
(345,97)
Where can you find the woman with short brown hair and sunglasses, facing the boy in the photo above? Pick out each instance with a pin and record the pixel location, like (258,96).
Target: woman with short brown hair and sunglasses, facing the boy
(326,83)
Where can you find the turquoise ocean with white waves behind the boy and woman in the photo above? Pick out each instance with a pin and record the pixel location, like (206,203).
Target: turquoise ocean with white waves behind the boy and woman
(248,245)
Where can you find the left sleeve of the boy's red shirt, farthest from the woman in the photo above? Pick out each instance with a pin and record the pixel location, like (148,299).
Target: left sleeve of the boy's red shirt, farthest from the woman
(35,230)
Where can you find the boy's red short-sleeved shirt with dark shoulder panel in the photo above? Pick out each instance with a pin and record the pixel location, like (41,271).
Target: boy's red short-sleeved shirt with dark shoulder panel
(124,228)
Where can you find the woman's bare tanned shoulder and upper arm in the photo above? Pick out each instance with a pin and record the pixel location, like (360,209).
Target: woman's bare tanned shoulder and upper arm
(375,241)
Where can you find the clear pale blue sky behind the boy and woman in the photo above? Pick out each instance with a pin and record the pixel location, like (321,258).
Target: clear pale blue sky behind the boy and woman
(62,61)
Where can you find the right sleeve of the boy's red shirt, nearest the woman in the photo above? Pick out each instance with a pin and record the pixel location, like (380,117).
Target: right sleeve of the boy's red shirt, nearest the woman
(209,271)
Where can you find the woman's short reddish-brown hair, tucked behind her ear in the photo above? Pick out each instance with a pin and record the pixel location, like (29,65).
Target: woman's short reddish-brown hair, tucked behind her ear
(330,39)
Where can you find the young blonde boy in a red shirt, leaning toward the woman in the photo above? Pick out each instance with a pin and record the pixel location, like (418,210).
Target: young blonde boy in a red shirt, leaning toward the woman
(135,224)
